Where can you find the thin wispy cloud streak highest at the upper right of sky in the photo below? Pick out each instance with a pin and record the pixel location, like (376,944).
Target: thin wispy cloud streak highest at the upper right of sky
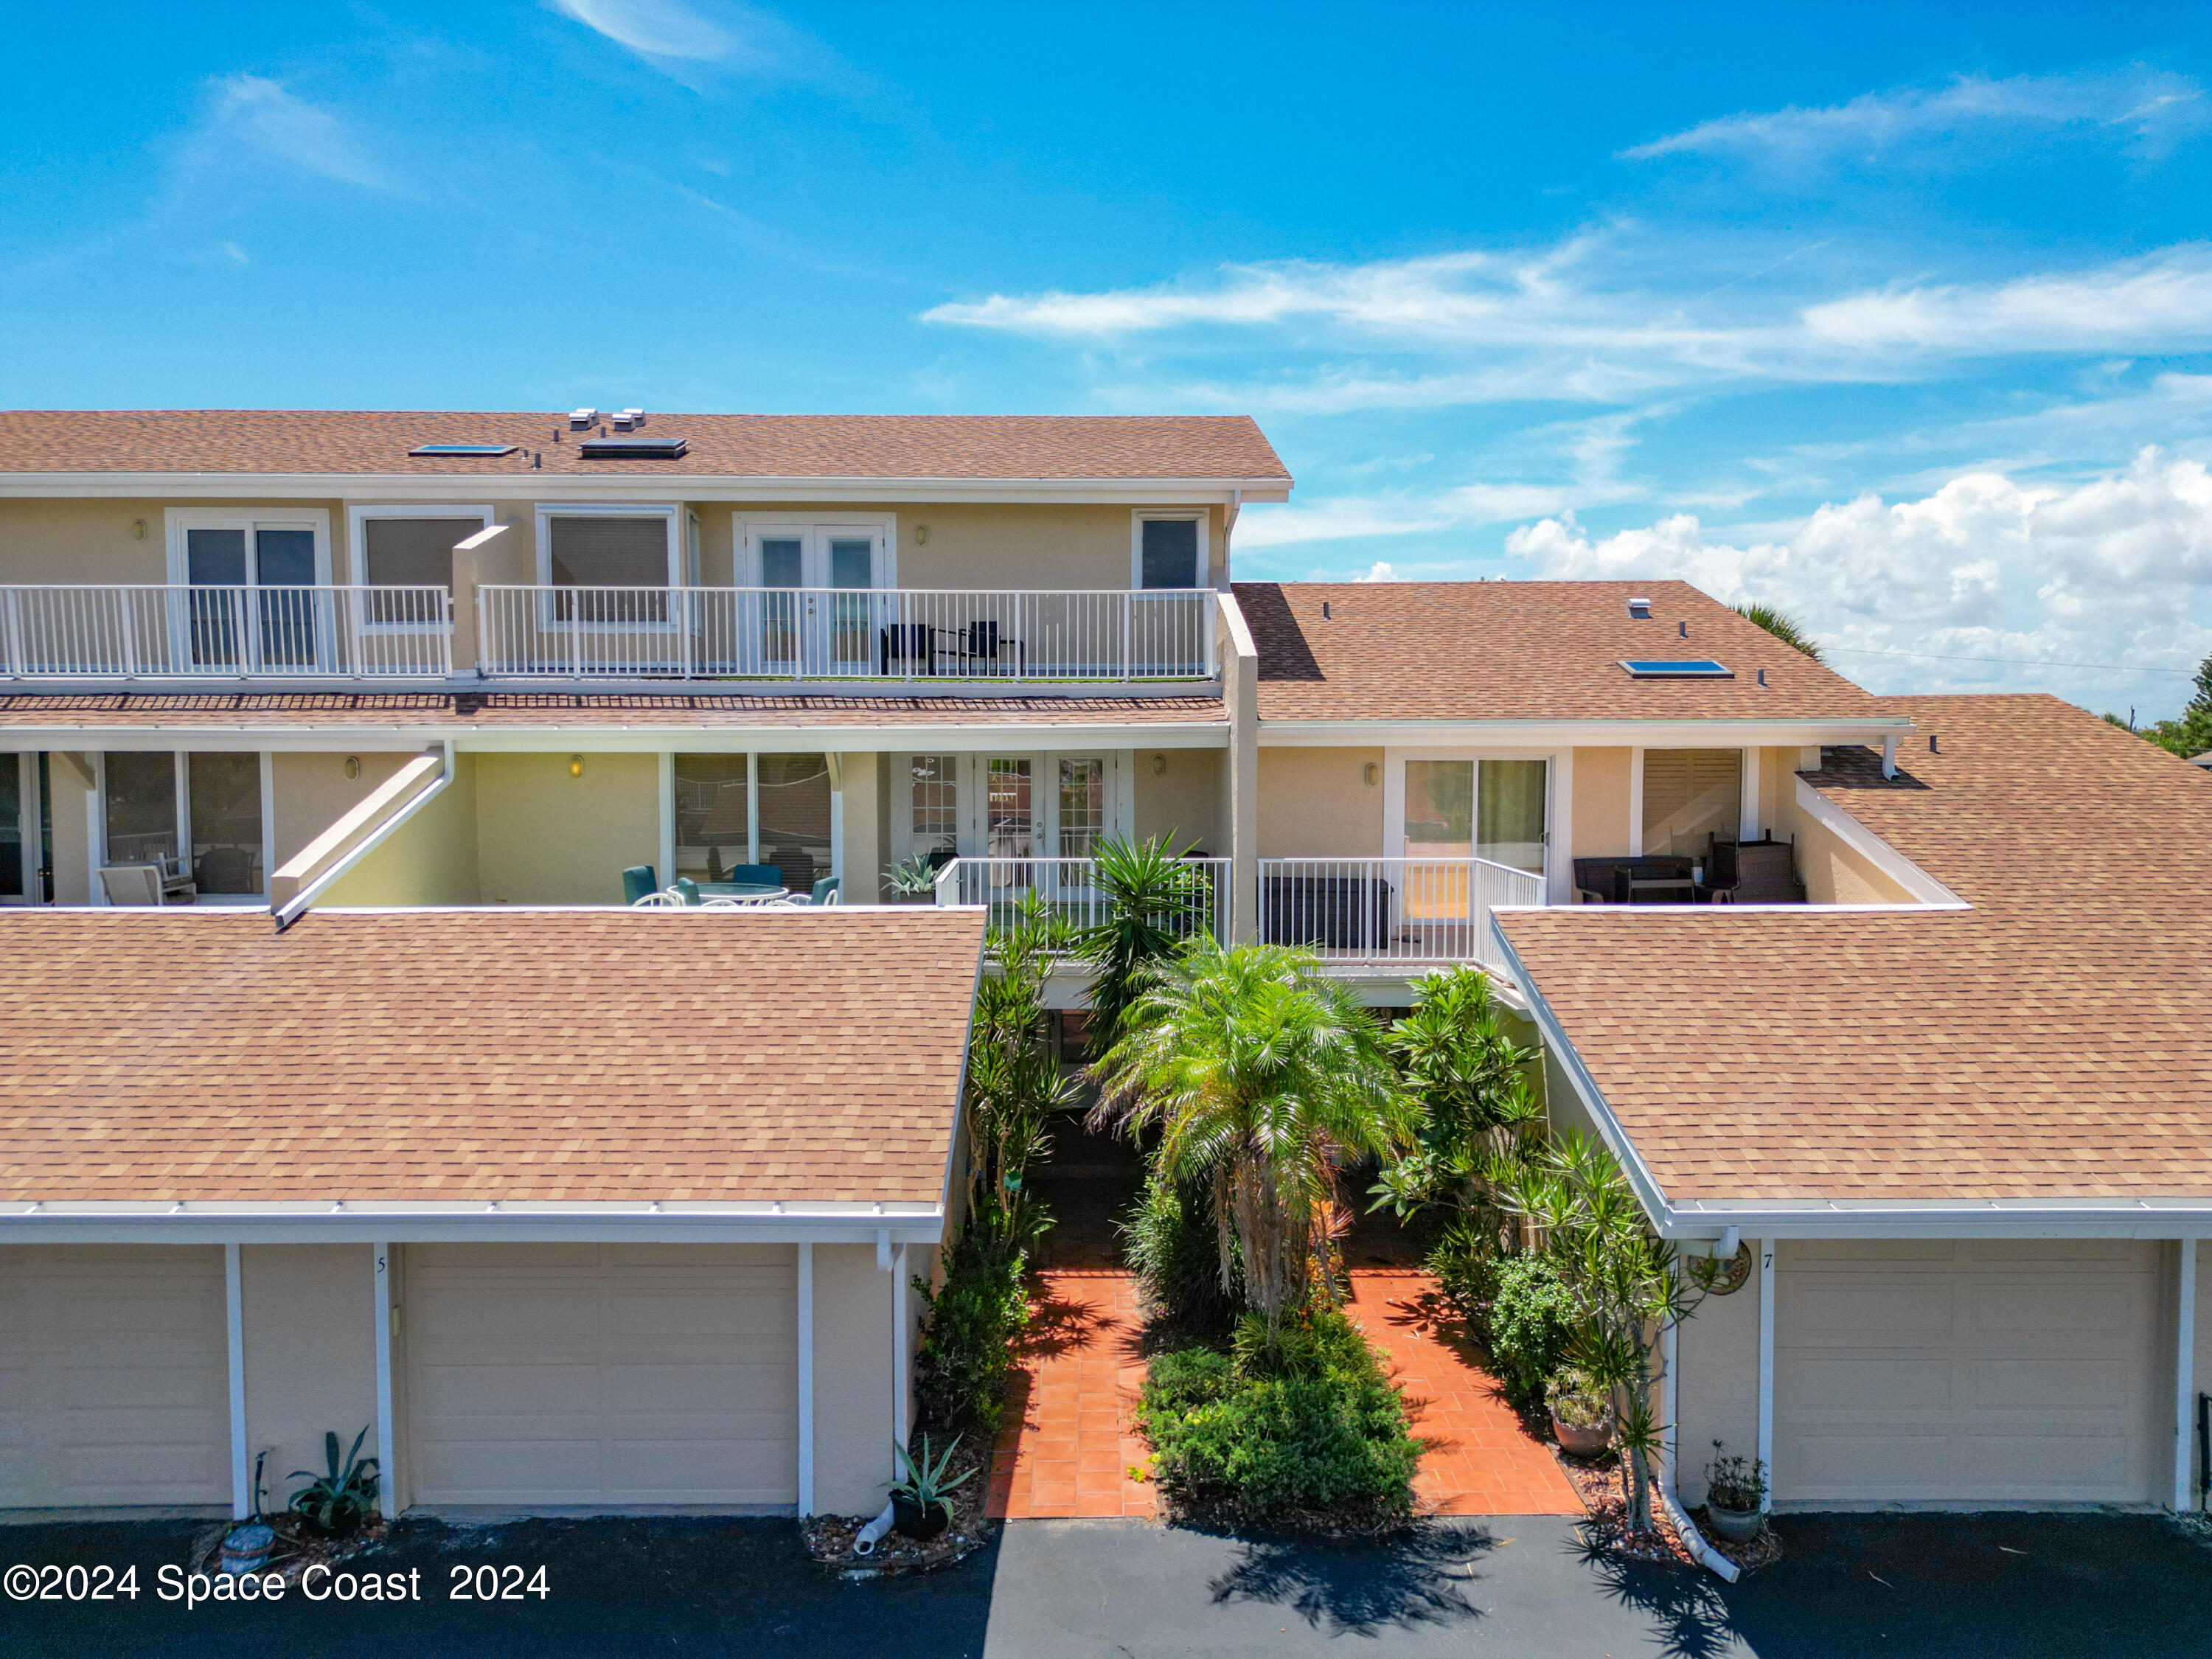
(2142,107)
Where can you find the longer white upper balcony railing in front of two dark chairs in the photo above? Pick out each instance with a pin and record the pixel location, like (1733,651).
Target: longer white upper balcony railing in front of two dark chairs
(844,634)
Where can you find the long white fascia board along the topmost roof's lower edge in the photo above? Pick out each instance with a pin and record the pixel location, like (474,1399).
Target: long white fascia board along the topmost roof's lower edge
(528,486)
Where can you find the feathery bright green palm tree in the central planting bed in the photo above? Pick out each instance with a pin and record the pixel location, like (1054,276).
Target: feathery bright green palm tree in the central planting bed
(1260,1076)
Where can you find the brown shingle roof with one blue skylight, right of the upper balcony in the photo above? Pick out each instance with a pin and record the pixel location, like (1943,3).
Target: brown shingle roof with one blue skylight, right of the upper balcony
(1468,651)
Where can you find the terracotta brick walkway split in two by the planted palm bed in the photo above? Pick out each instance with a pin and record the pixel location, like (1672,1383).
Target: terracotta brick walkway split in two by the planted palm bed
(1067,1446)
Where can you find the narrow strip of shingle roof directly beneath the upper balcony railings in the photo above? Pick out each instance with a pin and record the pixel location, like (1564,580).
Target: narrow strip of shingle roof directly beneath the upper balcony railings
(583,711)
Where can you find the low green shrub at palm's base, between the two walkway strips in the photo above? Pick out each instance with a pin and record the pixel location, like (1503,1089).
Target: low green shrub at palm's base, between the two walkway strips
(1308,1426)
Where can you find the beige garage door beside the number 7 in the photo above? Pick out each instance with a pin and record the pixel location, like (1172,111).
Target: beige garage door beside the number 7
(1968,1373)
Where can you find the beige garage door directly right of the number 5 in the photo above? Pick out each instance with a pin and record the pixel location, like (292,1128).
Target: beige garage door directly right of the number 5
(603,1375)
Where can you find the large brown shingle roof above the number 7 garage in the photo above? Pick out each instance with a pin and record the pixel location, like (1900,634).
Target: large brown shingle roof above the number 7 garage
(2049,1043)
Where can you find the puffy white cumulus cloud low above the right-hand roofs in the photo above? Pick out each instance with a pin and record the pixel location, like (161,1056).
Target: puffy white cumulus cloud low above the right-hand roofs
(2111,572)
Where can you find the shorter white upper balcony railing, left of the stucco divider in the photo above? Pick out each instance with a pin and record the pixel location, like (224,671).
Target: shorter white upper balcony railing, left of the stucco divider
(225,634)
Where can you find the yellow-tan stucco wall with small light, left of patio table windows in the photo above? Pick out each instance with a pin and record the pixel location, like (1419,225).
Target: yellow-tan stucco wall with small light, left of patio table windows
(550,839)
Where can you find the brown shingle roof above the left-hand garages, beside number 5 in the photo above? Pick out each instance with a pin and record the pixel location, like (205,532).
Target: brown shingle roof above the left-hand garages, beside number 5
(530,1056)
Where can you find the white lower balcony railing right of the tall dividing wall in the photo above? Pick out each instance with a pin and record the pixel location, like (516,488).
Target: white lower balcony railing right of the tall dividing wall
(1390,910)
